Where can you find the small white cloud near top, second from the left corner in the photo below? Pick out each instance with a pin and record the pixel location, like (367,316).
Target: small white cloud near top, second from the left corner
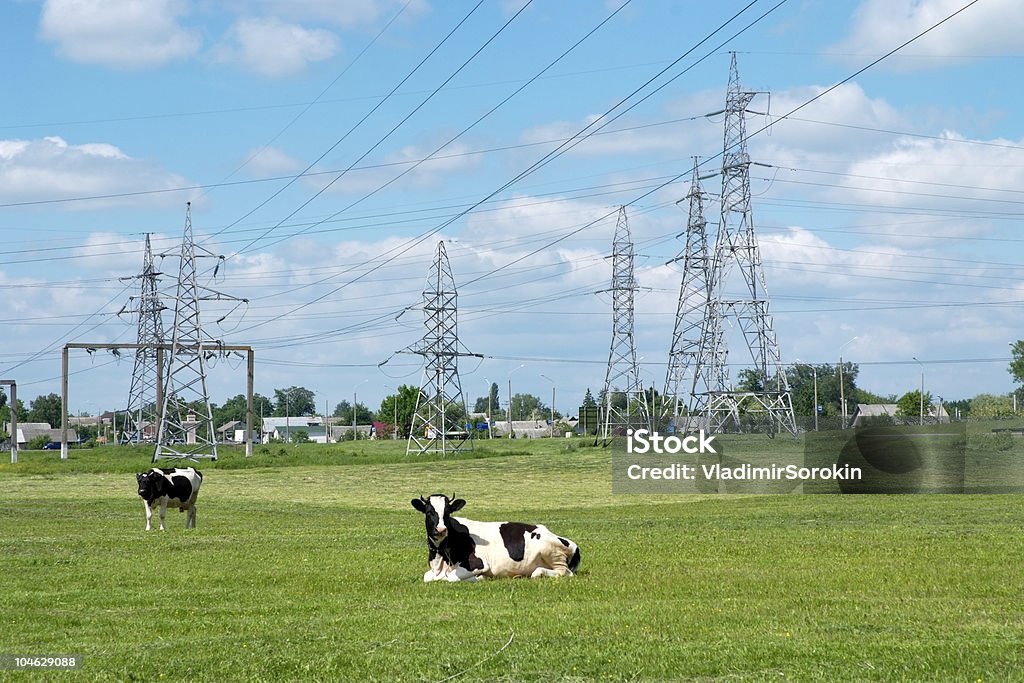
(275,49)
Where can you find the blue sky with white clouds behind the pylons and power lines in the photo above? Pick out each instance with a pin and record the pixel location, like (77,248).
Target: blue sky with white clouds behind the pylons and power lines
(888,211)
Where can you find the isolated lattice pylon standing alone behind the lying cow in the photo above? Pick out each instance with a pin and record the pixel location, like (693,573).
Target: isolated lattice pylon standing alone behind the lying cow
(440,421)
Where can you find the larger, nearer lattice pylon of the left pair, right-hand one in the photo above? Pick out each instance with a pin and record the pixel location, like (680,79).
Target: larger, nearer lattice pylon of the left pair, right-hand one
(186,419)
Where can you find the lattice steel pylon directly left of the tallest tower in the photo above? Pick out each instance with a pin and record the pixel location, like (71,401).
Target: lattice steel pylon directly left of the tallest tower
(694,294)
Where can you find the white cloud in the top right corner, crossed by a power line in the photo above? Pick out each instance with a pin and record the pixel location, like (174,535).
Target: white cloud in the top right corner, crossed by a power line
(987,29)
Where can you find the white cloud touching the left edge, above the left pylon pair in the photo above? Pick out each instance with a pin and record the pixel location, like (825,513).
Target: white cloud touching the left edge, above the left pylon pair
(51,168)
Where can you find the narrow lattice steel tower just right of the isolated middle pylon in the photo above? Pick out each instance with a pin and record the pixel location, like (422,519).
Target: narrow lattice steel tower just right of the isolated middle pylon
(624,400)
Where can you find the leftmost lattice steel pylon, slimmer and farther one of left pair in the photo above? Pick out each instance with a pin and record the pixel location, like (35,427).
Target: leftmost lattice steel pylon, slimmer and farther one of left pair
(147,309)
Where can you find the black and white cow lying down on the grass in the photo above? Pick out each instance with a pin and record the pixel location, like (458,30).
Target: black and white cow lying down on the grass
(463,549)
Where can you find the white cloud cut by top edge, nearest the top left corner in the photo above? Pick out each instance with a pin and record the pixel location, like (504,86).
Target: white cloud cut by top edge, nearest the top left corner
(123,34)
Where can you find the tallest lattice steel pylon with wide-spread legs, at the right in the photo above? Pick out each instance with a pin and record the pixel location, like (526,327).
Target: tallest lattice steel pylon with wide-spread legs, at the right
(738,291)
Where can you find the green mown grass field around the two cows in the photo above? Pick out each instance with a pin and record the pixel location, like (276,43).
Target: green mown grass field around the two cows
(308,565)
